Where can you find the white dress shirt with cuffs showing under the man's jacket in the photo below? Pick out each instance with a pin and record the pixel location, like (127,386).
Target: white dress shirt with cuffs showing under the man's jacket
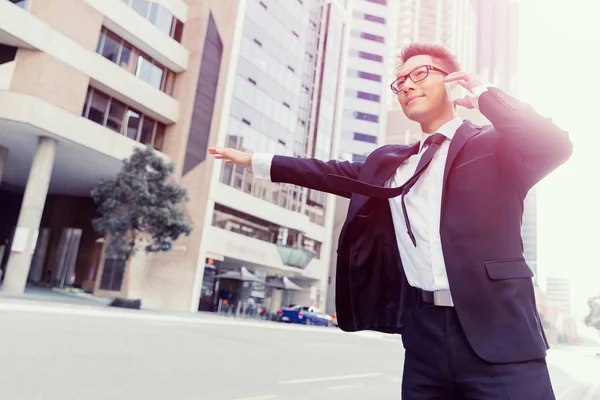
(424,264)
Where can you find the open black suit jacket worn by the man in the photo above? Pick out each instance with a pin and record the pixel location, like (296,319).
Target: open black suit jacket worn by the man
(488,173)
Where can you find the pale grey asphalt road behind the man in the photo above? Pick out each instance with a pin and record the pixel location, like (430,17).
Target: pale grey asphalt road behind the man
(59,352)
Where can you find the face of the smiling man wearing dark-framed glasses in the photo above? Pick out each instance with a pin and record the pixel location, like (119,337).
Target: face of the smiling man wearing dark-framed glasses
(426,98)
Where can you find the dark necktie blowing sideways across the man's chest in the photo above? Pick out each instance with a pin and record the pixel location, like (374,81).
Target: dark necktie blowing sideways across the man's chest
(432,144)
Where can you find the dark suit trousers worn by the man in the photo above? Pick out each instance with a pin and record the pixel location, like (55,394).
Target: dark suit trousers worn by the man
(440,364)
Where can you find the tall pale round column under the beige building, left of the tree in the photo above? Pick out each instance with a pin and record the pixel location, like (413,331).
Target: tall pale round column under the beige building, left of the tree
(30,216)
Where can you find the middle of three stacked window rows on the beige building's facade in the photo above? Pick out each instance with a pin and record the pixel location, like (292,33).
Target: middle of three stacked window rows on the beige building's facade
(117,50)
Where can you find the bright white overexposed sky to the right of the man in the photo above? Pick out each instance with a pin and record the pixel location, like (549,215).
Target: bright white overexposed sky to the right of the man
(559,57)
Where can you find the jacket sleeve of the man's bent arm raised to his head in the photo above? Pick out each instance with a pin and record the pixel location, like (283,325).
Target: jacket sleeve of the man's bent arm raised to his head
(532,145)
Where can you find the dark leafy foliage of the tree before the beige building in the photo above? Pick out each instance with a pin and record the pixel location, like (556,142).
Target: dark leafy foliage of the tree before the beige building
(140,207)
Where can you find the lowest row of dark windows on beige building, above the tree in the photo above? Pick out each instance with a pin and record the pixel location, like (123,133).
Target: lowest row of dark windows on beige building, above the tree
(123,119)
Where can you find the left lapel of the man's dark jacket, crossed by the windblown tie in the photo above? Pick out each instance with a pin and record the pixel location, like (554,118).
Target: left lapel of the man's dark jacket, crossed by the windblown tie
(379,173)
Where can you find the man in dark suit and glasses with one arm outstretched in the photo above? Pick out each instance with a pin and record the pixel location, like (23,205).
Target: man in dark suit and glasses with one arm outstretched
(431,247)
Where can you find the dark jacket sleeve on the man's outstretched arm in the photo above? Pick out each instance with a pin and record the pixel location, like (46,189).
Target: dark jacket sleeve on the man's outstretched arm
(310,172)
